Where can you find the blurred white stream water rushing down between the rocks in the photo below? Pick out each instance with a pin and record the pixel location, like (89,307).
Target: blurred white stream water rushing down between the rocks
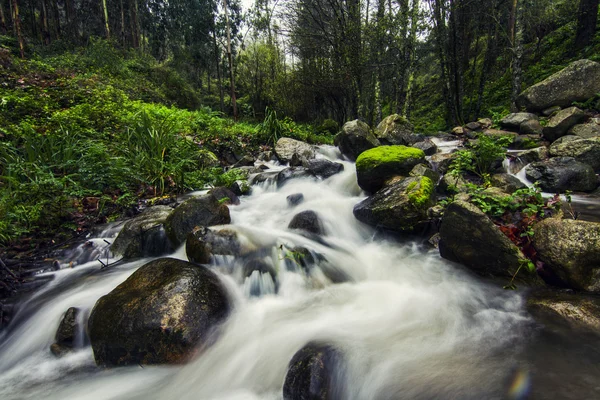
(410,325)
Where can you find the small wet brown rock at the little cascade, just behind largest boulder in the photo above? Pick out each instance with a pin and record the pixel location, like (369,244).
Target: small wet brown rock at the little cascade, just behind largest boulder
(203,243)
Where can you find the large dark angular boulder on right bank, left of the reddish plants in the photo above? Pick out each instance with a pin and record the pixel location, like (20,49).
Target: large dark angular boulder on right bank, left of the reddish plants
(469,237)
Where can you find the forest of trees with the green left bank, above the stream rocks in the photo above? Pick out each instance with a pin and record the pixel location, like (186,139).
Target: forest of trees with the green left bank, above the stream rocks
(81,77)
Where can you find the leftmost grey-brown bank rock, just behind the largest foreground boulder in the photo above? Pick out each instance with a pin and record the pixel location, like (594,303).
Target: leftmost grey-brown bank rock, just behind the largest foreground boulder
(144,235)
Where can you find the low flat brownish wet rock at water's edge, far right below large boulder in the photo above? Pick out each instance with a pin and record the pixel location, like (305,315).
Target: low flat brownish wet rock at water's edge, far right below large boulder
(579,310)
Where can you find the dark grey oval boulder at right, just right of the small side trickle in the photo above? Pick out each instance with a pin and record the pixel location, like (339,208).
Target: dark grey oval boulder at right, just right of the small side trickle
(560,174)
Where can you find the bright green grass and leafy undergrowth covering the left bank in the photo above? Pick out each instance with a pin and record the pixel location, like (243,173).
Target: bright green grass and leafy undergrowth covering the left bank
(85,135)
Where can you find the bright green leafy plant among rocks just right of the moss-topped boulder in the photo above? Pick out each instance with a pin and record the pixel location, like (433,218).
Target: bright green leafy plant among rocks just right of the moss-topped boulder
(479,157)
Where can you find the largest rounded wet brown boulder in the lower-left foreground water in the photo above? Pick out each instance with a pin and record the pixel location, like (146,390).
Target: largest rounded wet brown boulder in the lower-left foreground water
(162,314)
